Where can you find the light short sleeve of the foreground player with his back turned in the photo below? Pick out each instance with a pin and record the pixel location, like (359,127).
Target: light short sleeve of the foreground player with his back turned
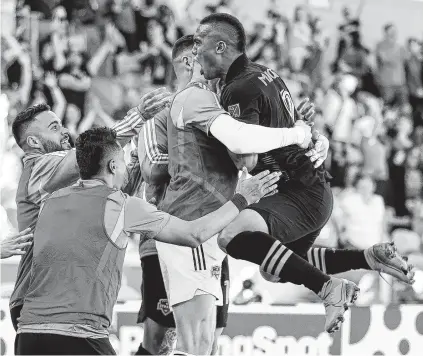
(143,218)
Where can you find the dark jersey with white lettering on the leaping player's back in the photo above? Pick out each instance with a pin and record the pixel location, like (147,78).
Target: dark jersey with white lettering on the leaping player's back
(255,94)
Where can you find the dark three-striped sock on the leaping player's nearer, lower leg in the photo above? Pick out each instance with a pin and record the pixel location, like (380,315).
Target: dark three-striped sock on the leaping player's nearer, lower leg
(276,259)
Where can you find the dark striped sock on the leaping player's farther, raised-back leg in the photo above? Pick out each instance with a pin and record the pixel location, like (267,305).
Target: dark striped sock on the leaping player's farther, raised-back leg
(332,261)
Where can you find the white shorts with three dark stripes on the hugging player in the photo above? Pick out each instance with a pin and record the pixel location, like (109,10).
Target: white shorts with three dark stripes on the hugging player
(188,272)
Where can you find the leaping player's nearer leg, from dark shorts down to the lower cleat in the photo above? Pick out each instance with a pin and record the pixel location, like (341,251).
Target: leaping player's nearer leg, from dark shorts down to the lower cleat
(289,216)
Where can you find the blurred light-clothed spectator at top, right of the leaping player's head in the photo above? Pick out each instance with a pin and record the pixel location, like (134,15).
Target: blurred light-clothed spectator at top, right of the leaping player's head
(299,37)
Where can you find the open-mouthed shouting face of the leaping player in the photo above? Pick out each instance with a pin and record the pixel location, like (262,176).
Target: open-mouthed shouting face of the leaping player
(205,52)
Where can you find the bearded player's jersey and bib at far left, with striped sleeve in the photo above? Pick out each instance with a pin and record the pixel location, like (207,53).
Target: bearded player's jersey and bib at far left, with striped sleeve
(42,175)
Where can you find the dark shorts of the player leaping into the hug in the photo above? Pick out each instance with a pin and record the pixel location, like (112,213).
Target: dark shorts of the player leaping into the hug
(297,213)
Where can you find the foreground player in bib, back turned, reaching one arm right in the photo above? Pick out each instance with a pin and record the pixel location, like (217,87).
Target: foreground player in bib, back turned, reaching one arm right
(79,247)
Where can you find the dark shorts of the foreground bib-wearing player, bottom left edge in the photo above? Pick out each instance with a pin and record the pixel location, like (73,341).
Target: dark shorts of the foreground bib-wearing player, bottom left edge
(54,344)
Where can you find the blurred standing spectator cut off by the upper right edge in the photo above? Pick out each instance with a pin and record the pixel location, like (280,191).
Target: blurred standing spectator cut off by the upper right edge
(414,73)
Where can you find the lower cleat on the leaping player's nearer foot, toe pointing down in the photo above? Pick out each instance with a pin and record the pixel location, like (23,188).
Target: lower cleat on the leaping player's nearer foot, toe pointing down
(337,295)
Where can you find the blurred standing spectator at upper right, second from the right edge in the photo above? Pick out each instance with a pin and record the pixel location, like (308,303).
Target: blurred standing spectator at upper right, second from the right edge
(390,57)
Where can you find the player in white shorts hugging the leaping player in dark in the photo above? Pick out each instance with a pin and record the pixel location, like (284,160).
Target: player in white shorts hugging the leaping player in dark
(203,177)
